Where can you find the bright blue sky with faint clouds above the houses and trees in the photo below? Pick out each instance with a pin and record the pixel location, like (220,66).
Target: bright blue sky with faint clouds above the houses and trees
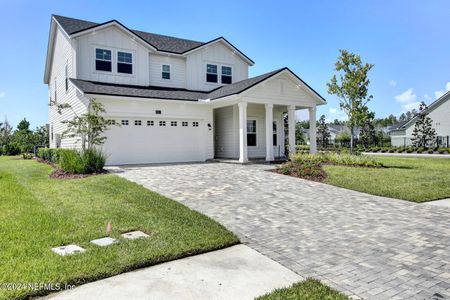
(406,40)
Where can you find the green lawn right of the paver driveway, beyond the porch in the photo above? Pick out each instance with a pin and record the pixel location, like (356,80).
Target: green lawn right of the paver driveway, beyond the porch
(413,179)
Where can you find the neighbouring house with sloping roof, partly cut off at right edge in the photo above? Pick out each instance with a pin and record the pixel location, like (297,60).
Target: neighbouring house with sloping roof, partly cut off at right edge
(439,112)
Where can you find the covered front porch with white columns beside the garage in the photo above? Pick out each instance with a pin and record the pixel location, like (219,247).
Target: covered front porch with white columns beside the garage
(256,131)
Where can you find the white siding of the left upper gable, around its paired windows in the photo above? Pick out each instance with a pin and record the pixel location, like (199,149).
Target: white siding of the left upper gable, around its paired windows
(113,39)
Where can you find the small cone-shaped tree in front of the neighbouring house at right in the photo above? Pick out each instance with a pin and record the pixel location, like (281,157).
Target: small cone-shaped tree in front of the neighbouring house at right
(423,134)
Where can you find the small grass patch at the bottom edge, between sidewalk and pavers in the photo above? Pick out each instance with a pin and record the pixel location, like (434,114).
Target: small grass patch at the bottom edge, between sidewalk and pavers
(309,289)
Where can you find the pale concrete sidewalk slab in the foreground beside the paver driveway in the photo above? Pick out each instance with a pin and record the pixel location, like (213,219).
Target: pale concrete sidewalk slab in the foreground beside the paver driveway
(238,272)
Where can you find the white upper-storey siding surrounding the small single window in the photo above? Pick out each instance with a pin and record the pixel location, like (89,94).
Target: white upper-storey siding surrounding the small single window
(177,71)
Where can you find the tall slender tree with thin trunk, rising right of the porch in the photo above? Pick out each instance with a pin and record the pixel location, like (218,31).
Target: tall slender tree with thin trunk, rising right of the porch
(351,88)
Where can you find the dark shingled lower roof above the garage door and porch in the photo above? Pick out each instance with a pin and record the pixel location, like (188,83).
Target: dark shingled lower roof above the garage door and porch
(156,92)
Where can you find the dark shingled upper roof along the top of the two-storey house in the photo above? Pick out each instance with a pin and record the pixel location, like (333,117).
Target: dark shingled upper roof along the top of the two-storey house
(159,42)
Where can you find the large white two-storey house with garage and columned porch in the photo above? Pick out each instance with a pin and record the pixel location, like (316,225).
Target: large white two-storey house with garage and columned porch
(177,100)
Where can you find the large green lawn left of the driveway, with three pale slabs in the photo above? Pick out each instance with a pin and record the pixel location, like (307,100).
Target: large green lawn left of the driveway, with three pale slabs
(38,213)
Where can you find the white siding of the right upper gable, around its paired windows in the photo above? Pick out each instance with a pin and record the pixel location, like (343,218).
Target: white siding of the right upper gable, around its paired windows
(218,54)
